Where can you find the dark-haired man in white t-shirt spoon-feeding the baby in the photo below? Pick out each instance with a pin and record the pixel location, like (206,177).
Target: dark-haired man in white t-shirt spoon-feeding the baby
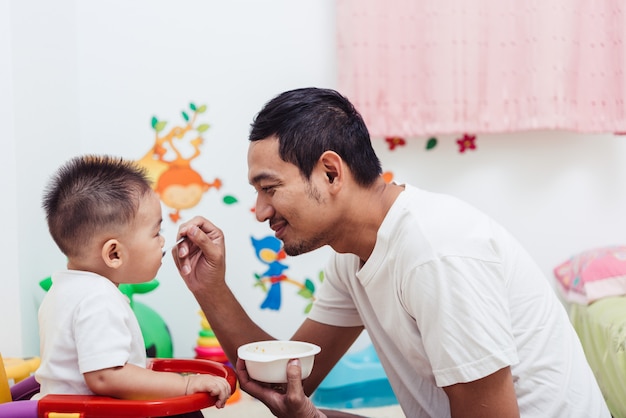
(464,322)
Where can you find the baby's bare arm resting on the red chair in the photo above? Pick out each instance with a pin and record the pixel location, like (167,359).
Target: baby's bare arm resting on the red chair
(133,382)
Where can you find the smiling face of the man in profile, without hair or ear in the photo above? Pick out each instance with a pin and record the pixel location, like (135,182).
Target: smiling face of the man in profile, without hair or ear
(293,206)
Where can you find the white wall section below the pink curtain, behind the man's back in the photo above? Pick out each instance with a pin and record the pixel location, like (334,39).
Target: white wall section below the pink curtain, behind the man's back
(559,193)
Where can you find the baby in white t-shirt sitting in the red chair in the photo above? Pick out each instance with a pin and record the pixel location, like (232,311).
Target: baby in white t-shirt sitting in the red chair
(104,216)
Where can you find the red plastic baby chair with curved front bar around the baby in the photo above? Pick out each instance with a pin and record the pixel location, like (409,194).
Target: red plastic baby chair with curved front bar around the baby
(83,406)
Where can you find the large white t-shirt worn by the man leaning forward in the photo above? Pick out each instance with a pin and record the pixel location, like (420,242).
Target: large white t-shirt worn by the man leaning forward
(449,296)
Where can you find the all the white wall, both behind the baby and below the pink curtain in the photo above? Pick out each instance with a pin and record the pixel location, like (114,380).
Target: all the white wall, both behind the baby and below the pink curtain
(89,76)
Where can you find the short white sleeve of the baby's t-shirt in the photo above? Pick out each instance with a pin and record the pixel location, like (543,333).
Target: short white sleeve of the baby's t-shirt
(102,335)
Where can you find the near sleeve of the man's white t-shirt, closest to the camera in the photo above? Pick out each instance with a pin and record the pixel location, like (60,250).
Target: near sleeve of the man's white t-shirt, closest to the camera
(460,306)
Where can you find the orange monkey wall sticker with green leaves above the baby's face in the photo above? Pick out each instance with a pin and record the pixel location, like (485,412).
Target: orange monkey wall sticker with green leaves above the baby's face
(168,161)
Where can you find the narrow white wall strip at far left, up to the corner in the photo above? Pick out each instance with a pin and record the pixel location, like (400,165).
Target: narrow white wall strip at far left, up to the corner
(42,67)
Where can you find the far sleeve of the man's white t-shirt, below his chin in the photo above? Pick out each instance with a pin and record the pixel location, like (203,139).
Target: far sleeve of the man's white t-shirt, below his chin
(333,304)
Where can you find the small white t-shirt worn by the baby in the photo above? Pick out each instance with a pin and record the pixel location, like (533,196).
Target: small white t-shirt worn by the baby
(85,324)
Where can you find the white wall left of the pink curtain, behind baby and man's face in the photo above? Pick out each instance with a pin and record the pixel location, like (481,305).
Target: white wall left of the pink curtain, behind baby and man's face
(88,77)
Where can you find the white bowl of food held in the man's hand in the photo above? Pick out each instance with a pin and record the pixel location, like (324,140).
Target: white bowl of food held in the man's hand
(266,361)
